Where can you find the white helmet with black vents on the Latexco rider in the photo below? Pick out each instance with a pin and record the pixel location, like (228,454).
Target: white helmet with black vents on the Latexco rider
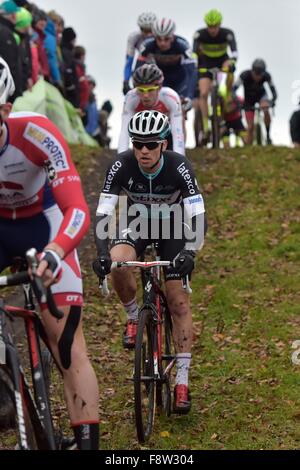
(147,126)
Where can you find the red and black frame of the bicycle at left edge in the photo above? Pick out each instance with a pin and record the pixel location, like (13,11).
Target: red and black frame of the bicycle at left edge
(36,408)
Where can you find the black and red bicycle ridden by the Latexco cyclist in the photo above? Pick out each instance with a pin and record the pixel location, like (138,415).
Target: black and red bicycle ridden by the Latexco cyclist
(154,349)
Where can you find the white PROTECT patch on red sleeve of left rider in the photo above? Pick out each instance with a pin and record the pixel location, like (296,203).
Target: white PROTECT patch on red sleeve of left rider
(49,145)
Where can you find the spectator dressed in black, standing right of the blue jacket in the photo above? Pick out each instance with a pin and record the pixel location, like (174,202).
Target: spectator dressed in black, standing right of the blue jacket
(70,77)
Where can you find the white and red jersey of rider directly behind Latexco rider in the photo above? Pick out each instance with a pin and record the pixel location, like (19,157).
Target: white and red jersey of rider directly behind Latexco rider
(168,103)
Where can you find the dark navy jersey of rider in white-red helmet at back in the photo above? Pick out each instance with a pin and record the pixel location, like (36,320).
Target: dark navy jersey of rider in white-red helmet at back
(177,64)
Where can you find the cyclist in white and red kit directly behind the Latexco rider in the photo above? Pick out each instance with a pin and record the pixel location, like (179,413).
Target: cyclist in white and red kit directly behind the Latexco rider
(149,94)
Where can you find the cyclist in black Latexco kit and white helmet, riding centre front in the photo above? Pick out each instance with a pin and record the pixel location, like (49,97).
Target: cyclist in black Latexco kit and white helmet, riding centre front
(153,180)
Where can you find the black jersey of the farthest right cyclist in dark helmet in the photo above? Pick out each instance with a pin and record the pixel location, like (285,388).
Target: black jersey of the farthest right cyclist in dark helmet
(254,91)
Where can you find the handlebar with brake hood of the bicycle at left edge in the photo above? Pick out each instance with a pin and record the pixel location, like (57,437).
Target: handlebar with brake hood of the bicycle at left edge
(43,294)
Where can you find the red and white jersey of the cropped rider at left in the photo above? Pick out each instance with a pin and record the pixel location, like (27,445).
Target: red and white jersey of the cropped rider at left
(36,173)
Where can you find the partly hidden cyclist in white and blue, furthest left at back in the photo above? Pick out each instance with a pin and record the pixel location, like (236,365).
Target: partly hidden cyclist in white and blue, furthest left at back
(134,43)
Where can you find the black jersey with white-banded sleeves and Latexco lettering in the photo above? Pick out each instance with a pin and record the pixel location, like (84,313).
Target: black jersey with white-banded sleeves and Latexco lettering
(173,185)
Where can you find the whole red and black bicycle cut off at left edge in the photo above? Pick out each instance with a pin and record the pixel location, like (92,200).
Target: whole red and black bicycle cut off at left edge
(32,410)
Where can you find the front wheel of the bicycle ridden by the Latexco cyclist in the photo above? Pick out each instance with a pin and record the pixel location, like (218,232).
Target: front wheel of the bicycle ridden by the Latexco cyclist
(144,380)
